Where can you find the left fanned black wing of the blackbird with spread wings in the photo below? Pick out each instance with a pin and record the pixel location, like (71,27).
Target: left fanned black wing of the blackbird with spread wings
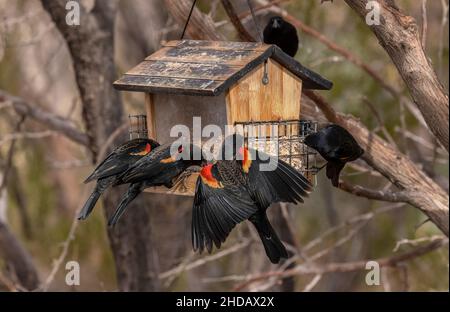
(216,211)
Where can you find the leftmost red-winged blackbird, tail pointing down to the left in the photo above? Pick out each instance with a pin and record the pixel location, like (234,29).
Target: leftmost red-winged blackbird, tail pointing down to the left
(108,172)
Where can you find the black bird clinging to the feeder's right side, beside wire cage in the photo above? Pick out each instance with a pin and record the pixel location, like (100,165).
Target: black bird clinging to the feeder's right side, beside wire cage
(337,146)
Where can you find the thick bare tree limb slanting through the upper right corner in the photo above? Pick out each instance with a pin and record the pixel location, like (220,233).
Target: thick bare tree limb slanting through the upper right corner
(399,36)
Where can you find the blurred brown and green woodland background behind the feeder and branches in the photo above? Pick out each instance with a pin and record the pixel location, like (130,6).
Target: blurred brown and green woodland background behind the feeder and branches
(44,188)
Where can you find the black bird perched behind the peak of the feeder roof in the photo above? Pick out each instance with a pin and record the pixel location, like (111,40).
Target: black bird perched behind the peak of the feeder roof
(283,34)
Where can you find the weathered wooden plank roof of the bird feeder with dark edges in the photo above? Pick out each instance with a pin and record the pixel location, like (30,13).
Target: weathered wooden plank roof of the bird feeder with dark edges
(196,67)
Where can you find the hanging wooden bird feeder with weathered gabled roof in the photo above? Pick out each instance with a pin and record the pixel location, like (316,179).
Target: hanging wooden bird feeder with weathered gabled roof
(224,83)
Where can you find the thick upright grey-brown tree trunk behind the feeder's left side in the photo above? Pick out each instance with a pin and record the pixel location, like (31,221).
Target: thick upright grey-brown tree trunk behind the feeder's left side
(91,45)
